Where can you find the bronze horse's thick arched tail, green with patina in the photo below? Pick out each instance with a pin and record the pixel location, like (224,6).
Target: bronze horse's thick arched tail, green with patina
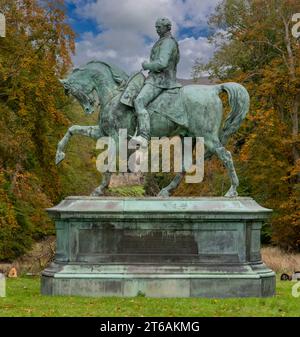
(239,101)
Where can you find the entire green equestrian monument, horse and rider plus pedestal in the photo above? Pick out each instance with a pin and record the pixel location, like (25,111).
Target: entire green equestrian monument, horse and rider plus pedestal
(192,247)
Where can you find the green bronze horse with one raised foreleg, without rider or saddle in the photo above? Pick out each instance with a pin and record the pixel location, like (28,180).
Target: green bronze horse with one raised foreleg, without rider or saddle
(100,83)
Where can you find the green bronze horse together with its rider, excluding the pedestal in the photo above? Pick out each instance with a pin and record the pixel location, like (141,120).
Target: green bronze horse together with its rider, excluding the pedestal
(156,107)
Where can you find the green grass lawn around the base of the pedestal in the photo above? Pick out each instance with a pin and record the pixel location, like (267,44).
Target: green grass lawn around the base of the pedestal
(24,299)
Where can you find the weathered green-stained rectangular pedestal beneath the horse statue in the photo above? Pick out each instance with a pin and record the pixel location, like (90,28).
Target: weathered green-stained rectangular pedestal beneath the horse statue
(173,247)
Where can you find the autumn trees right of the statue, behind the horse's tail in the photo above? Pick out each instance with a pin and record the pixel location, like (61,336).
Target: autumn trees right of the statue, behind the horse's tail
(255,47)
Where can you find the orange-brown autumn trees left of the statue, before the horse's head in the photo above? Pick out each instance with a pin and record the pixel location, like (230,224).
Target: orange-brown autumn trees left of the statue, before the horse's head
(33,55)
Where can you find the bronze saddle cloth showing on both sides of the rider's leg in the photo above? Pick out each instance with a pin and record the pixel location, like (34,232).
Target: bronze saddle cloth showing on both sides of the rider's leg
(169,103)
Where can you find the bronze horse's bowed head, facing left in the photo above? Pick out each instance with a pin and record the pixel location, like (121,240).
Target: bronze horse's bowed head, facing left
(80,85)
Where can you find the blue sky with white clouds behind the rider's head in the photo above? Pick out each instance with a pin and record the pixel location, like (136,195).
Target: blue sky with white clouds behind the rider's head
(122,32)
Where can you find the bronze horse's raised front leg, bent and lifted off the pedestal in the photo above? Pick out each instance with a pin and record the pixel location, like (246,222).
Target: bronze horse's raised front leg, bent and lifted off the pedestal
(89,131)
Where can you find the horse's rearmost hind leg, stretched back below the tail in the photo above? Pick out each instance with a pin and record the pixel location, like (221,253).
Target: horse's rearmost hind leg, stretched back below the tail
(226,158)
